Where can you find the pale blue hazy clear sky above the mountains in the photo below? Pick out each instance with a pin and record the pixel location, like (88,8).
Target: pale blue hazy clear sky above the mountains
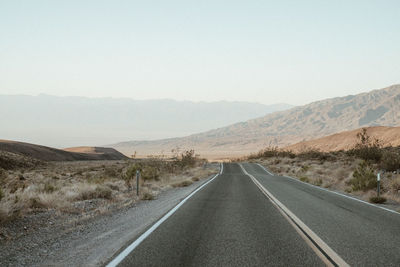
(263,51)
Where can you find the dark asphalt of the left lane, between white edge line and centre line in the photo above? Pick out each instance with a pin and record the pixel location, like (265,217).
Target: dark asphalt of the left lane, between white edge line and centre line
(228,223)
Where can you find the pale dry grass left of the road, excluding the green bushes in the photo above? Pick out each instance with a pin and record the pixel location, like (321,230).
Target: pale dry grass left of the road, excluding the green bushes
(67,186)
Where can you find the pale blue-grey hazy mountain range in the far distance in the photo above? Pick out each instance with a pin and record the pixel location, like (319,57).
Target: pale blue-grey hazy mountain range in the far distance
(74,121)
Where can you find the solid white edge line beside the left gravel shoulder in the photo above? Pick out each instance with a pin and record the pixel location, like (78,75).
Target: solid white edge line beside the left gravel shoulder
(117,260)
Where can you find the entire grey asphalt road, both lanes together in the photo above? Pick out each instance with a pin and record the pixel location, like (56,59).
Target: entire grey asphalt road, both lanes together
(230,222)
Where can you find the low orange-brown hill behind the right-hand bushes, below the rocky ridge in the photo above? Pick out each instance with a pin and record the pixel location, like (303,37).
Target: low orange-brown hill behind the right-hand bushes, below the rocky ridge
(388,136)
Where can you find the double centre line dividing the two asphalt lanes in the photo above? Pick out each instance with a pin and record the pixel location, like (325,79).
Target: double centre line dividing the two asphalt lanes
(328,255)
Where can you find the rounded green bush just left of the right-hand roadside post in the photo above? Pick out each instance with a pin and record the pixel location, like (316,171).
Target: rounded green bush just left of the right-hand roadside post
(363,178)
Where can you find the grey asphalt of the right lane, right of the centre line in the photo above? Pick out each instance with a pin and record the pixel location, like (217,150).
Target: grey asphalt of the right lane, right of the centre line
(361,234)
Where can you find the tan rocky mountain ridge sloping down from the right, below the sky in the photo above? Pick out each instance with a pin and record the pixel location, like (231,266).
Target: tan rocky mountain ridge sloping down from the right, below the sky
(321,118)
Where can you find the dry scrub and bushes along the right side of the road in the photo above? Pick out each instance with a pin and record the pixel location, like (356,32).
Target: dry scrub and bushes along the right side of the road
(353,171)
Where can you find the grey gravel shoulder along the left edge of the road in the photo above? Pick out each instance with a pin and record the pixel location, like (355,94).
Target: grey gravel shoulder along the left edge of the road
(61,240)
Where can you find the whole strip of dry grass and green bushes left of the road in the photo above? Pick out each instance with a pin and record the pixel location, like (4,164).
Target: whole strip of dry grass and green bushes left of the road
(30,186)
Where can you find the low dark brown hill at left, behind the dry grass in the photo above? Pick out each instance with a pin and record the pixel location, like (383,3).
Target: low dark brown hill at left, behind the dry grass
(52,154)
